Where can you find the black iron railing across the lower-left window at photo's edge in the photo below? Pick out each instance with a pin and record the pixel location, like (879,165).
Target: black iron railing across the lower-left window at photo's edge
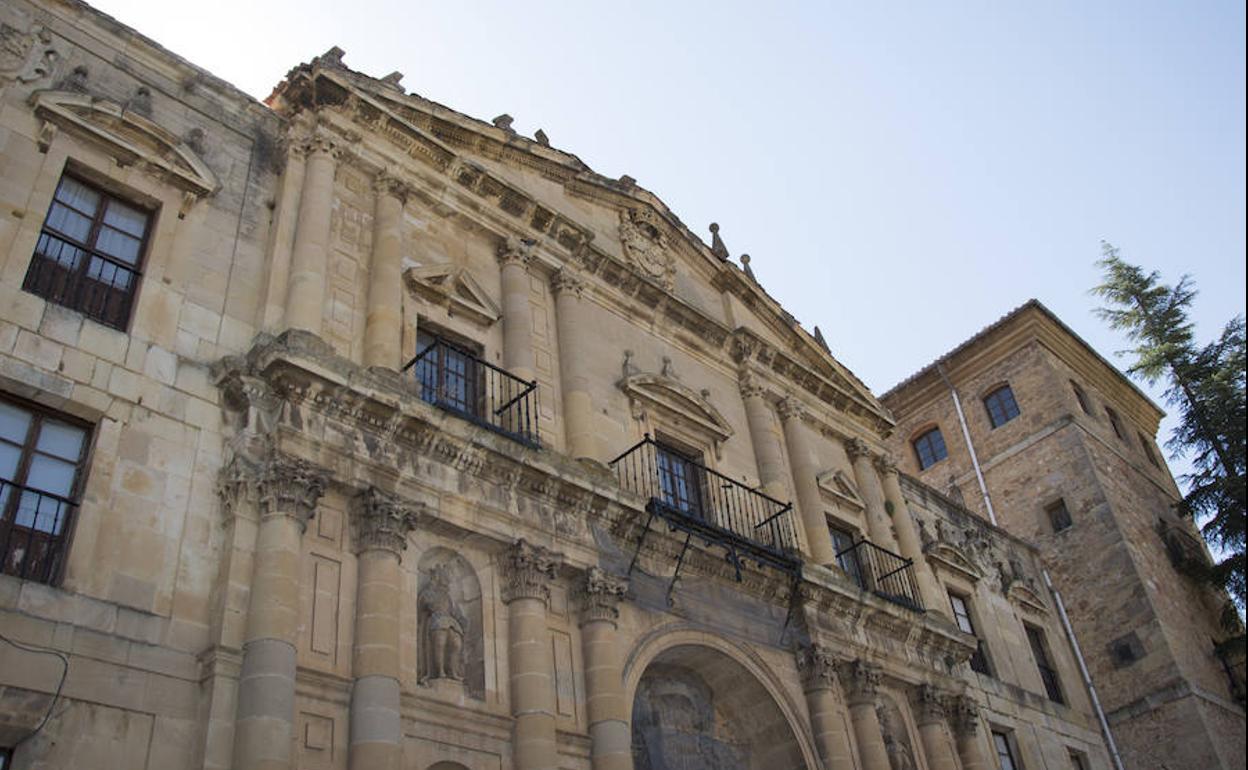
(34,532)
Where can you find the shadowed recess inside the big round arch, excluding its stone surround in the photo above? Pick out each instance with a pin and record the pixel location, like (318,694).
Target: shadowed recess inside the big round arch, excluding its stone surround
(696,708)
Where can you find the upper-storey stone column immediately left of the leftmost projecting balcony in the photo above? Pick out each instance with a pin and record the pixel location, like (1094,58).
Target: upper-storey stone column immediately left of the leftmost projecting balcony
(384,324)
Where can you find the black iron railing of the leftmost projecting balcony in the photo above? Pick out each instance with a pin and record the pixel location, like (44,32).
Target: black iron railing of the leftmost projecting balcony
(455,380)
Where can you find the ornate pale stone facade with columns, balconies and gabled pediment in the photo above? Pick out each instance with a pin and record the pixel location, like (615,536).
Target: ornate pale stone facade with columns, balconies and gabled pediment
(348,431)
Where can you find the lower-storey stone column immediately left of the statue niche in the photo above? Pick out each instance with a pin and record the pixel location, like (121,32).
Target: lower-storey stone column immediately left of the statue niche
(381,526)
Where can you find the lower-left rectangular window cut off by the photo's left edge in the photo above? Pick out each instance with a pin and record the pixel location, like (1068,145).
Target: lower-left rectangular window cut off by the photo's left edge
(42,457)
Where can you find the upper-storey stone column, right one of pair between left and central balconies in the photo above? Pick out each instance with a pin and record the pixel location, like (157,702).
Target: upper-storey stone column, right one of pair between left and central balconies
(575,336)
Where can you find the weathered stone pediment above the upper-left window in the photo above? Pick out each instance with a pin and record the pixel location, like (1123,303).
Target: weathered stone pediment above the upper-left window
(128,137)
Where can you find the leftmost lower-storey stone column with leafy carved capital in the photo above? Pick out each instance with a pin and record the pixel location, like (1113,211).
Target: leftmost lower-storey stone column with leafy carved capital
(264,728)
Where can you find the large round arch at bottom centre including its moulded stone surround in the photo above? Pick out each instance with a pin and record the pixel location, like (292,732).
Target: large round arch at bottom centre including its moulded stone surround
(701,702)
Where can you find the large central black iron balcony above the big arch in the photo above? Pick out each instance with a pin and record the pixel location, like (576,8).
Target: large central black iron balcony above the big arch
(709,506)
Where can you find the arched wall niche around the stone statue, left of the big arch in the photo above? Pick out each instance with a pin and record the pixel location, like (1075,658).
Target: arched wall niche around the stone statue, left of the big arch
(449,596)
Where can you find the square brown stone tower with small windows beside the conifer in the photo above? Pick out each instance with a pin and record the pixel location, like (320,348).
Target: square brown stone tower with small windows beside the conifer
(1066,450)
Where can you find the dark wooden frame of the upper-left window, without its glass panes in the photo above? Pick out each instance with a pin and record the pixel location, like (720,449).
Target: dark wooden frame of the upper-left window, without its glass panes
(71,291)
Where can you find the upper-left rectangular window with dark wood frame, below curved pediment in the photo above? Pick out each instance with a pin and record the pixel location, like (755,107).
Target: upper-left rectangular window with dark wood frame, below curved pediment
(90,253)
